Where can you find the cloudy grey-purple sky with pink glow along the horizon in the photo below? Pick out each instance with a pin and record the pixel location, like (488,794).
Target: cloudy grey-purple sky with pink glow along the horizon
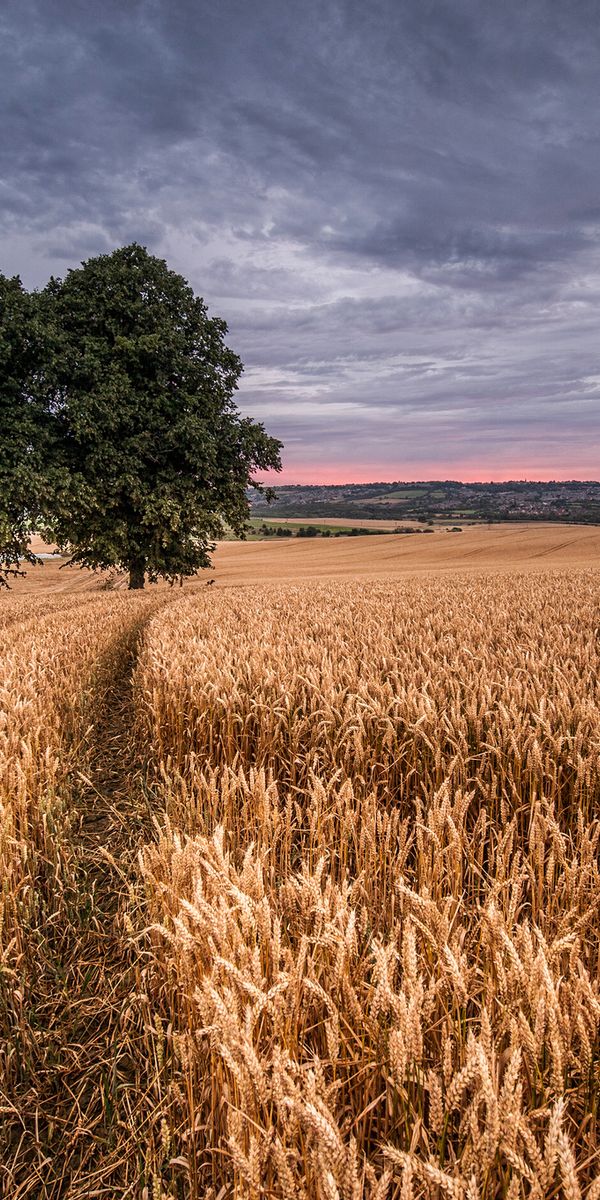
(395,206)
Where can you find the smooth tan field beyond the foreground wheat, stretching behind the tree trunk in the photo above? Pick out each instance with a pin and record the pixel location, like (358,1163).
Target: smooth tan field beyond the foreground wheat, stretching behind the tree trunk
(478,548)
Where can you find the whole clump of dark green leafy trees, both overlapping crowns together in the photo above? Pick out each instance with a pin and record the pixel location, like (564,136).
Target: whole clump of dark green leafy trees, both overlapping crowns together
(119,436)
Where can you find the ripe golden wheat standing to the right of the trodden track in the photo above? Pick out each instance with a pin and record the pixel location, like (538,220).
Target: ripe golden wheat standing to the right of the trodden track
(375,901)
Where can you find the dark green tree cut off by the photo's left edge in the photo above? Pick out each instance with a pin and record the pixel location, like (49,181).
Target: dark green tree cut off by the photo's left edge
(26,471)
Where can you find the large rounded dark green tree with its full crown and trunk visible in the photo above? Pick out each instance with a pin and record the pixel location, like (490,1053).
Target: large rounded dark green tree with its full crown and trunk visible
(141,388)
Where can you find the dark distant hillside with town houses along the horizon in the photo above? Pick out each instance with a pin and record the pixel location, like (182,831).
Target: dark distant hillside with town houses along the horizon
(437,501)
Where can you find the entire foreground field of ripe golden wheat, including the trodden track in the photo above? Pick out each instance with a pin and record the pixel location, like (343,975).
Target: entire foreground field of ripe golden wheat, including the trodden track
(357,895)
